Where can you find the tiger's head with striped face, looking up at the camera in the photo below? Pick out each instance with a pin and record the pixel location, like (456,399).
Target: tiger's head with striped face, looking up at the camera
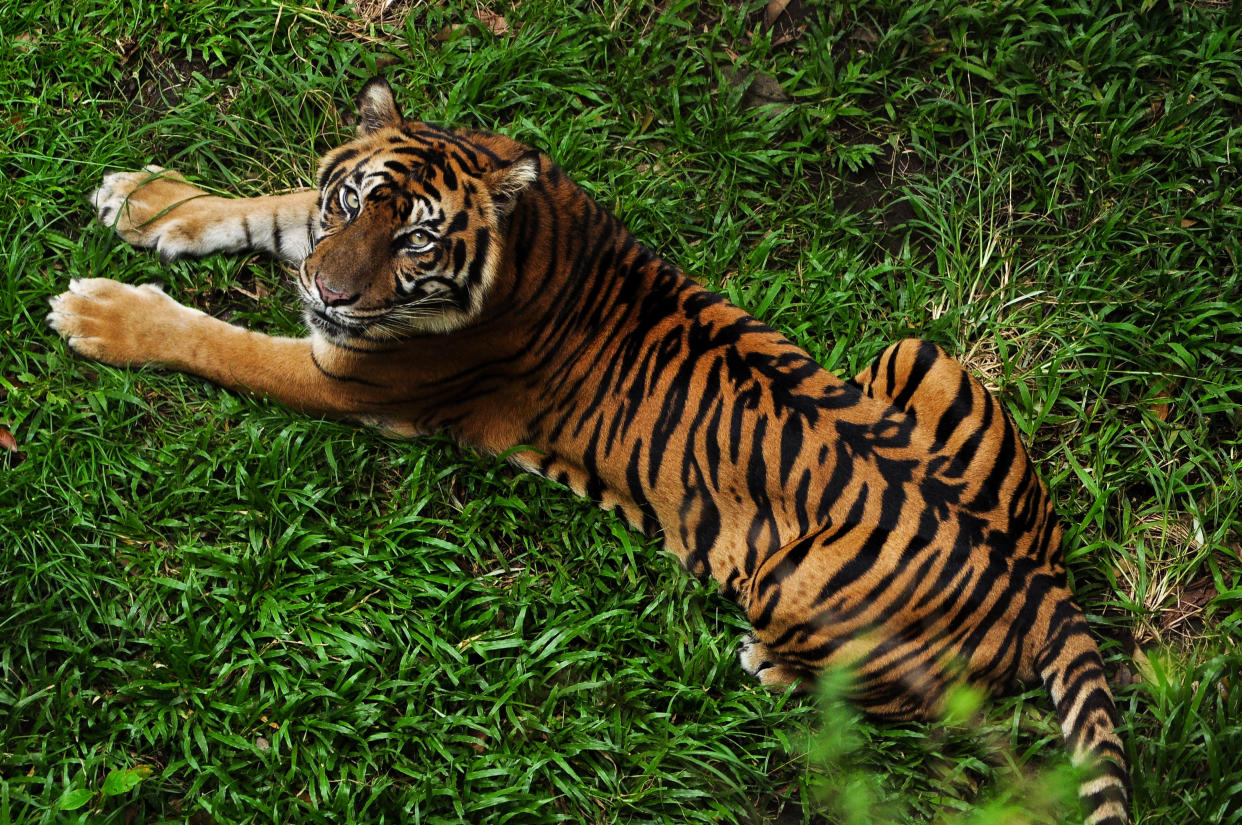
(412,226)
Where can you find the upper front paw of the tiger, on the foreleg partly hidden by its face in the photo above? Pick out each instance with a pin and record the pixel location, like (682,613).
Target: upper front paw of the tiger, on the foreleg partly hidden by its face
(156,209)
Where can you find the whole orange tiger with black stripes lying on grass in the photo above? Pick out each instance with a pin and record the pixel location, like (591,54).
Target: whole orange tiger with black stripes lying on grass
(460,283)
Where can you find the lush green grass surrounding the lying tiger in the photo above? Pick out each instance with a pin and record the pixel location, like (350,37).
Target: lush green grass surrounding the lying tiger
(219,612)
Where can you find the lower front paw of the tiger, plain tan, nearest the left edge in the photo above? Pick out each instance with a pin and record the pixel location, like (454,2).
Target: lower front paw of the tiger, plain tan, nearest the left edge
(122,325)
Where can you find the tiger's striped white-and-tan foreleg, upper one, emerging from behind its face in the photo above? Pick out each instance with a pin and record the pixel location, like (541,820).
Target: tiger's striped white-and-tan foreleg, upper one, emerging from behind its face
(160,209)
